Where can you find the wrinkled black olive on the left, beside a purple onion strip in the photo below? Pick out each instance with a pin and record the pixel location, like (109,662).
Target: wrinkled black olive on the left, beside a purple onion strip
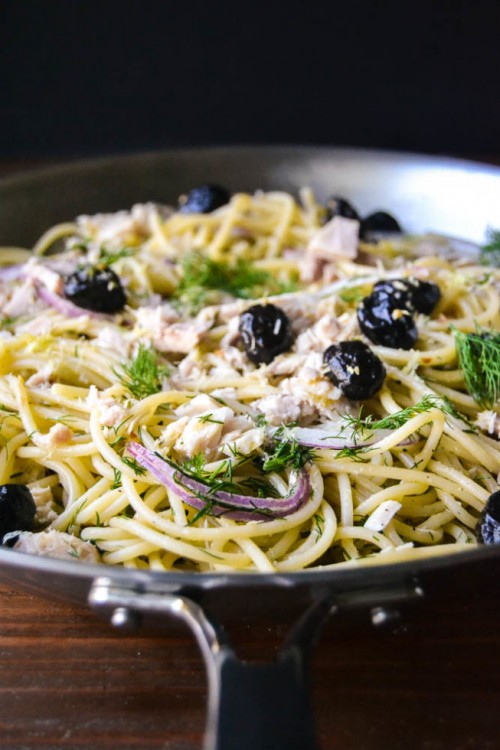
(95,288)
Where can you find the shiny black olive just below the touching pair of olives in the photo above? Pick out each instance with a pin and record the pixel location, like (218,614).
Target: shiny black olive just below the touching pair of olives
(355,368)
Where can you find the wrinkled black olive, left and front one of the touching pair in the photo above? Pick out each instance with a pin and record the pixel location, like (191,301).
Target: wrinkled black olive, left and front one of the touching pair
(386,324)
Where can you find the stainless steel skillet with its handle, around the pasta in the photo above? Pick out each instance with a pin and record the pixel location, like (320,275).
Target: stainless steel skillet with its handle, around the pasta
(252,706)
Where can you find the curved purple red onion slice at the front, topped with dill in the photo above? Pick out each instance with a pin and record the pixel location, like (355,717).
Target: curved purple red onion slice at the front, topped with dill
(220,503)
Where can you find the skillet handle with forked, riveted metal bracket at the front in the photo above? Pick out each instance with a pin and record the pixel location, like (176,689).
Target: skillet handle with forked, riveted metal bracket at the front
(250,705)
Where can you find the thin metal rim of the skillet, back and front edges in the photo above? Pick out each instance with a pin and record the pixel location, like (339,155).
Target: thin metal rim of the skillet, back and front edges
(373,572)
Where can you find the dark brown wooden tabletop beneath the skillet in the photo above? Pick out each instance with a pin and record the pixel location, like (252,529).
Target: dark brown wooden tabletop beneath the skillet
(428,682)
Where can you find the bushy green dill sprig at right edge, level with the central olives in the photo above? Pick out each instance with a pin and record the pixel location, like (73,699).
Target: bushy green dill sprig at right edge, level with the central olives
(479,357)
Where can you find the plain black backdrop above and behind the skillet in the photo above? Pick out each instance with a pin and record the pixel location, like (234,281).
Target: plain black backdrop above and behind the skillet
(82,78)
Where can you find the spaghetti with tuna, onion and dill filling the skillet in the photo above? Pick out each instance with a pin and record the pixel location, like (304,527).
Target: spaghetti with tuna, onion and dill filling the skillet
(150,438)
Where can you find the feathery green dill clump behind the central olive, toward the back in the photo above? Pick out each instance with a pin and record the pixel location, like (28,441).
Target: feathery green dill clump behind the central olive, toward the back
(202,277)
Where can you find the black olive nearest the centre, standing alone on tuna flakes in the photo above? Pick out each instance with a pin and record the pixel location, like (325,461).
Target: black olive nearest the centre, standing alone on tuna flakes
(265,332)
